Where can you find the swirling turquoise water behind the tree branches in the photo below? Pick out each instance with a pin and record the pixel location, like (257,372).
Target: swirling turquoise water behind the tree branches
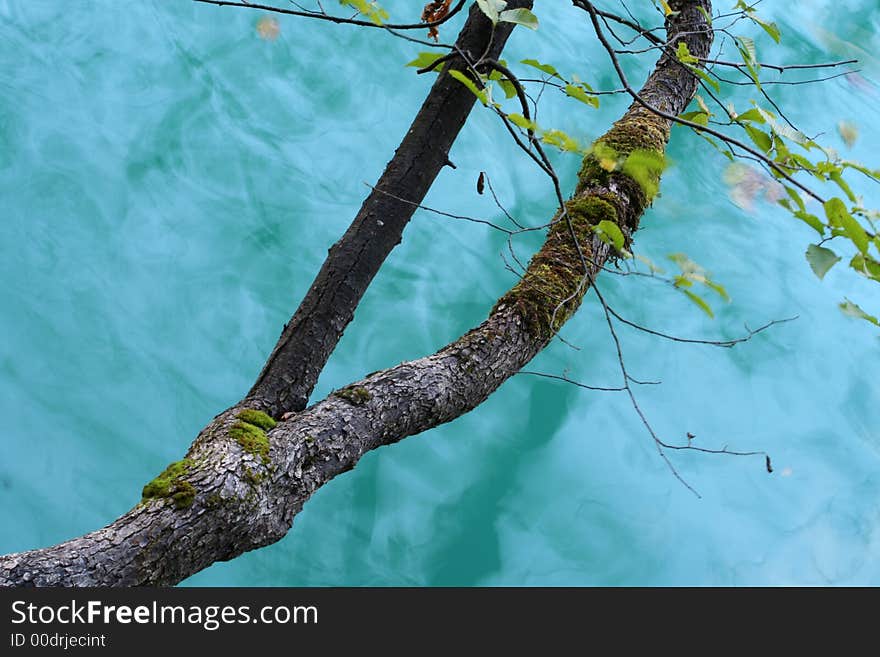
(169,185)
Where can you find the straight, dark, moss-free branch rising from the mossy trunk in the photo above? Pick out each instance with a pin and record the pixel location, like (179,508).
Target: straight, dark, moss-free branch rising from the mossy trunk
(309,338)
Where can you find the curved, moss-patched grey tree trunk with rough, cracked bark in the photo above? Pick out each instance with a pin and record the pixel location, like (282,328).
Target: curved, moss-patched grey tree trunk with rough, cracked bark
(245,477)
